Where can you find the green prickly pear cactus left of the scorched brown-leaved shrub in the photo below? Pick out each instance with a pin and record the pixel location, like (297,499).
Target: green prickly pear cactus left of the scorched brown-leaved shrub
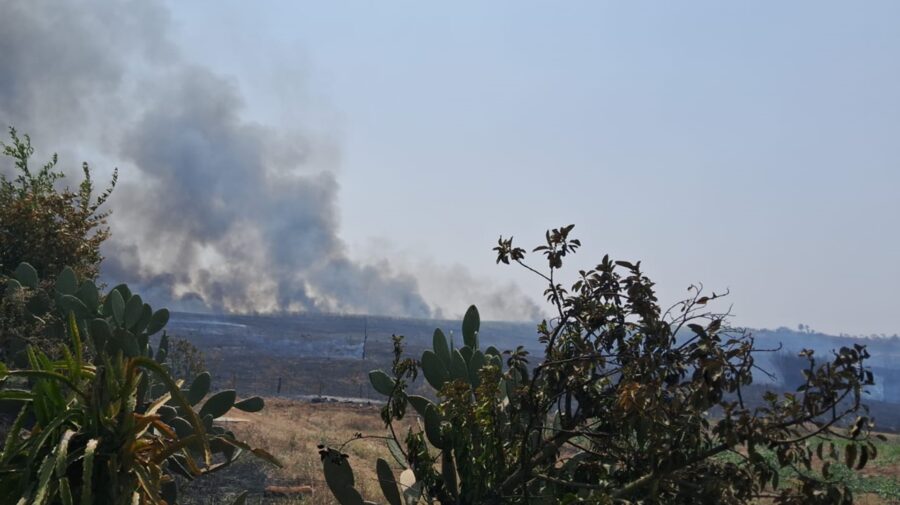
(436,462)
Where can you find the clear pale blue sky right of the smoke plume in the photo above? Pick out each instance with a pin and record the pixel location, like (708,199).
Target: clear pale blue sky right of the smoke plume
(750,146)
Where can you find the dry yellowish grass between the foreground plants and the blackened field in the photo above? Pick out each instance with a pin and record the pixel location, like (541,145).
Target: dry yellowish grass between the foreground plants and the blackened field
(291,430)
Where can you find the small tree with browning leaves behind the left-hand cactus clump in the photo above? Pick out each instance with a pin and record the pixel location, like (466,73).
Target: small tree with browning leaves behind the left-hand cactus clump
(49,228)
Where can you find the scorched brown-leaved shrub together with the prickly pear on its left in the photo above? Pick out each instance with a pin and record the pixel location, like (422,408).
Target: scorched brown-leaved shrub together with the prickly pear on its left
(630,403)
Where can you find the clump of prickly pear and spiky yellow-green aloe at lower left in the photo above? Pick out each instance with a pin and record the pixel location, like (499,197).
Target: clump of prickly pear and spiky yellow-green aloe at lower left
(115,429)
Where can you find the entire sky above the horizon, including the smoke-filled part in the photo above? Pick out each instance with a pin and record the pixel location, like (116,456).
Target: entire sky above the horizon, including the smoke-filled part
(751,147)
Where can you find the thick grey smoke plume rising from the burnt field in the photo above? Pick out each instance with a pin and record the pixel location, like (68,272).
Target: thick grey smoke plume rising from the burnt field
(213,211)
